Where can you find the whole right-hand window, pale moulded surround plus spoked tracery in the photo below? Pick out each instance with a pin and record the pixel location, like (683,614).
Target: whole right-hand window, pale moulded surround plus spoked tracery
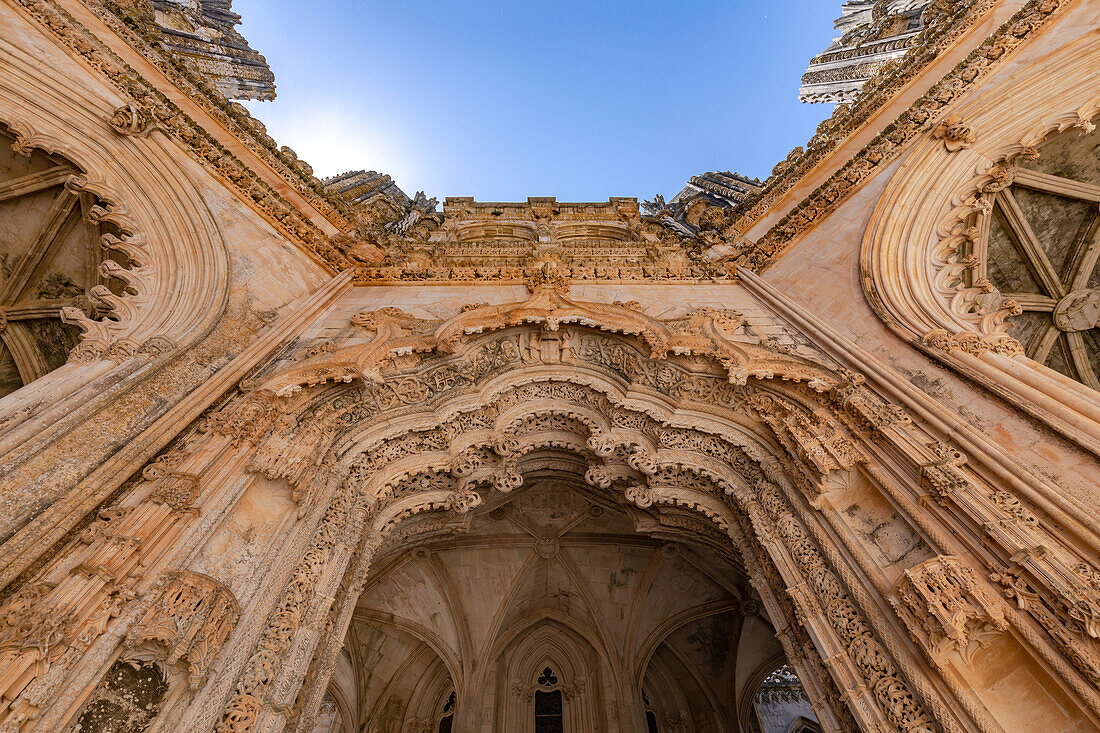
(942,261)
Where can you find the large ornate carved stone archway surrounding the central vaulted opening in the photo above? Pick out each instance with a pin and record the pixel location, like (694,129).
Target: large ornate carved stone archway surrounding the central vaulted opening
(782,456)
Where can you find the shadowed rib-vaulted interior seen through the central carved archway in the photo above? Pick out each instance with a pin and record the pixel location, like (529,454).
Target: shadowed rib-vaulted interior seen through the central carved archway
(556,575)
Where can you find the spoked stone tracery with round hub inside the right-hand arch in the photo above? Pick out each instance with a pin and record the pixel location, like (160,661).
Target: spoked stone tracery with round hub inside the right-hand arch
(1040,249)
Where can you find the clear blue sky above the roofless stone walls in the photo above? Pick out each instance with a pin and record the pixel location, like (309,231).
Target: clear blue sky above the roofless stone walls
(575,100)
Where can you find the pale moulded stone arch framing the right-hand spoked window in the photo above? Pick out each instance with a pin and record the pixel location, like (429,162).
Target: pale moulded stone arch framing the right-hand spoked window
(920,270)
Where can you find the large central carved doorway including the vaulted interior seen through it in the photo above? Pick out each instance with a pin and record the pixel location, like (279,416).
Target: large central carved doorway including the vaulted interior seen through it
(422,437)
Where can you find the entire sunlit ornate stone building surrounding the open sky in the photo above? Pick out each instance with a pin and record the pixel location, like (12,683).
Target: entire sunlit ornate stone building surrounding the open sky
(818,453)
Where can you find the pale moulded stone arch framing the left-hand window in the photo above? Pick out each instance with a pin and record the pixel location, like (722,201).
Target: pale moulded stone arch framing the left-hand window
(177,285)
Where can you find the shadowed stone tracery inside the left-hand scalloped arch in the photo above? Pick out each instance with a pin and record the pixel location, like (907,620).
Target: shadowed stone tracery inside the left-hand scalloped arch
(51,258)
